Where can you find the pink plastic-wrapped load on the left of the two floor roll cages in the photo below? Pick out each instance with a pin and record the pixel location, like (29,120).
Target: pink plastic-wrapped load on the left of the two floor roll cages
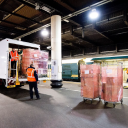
(90,80)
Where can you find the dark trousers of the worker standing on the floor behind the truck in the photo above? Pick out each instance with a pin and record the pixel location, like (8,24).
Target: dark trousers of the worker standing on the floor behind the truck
(31,86)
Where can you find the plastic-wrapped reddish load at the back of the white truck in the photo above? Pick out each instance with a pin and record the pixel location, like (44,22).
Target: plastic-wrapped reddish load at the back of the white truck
(38,58)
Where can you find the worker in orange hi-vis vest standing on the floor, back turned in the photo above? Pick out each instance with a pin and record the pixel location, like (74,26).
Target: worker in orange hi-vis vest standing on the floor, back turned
(32,78)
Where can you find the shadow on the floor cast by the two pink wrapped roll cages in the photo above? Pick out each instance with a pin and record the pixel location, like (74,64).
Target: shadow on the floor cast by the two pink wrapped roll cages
(86,110)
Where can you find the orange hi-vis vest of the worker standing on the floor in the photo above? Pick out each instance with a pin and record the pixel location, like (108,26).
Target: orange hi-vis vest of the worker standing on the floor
(30,74)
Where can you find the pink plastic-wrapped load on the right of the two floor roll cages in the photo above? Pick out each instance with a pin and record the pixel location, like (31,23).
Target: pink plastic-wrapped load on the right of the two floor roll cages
(112,83)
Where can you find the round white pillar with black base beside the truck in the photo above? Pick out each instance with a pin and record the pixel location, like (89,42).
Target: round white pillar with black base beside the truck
(56,54)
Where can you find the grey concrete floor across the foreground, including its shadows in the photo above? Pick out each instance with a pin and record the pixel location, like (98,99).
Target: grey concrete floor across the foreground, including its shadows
(59,108)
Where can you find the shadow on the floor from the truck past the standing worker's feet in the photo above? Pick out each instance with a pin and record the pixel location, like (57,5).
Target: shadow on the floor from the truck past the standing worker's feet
(45,103)
